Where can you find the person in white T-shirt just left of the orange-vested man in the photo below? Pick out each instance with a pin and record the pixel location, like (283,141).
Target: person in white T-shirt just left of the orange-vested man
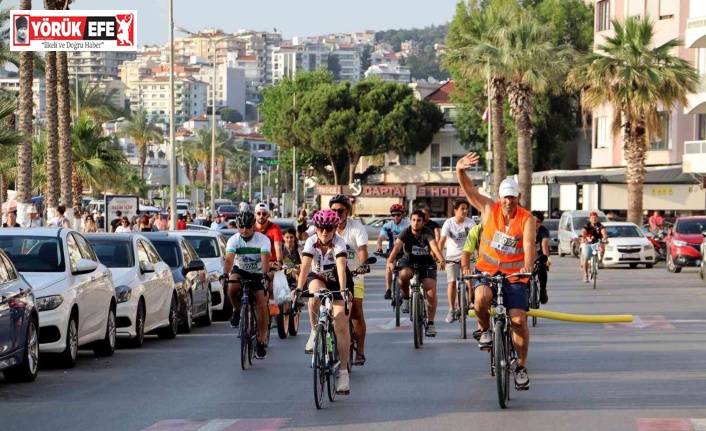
(456,228)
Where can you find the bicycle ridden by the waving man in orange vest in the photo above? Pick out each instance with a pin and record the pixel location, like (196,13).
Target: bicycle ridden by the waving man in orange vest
(503,356)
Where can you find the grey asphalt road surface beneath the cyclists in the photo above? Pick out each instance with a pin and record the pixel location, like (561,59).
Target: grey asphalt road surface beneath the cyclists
(649,375)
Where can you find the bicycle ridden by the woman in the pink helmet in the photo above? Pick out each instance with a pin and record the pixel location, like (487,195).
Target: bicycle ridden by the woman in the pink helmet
(325,361)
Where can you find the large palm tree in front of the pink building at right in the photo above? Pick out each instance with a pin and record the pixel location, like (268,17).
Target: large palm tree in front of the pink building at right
(635,78)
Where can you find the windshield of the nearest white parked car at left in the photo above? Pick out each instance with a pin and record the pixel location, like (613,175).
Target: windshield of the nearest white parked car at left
(34,253)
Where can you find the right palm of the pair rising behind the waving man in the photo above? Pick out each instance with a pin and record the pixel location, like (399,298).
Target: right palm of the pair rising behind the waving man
(536,65)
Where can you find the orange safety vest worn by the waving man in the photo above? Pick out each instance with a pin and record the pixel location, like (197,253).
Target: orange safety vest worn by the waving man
(499,250)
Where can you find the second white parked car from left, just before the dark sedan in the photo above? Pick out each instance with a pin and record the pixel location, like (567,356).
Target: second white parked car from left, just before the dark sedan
(144,286)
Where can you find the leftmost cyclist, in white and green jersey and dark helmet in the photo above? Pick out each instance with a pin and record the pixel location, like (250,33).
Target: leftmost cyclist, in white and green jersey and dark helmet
(250,251)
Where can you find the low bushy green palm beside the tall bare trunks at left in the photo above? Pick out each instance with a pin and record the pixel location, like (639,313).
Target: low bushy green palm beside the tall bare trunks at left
(94,155)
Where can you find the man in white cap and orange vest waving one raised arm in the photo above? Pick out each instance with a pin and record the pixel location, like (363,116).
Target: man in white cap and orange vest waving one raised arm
(507,227)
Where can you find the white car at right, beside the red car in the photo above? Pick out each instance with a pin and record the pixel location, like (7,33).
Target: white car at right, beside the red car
(627,245)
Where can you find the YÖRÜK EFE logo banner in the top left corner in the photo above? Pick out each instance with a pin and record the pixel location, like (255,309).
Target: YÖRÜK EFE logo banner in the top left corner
(73,30)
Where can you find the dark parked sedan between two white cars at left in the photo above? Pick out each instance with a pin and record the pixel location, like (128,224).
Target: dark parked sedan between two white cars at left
(190,278)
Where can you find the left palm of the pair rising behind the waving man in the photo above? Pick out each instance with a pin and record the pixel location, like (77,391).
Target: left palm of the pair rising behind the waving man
(476,52)
